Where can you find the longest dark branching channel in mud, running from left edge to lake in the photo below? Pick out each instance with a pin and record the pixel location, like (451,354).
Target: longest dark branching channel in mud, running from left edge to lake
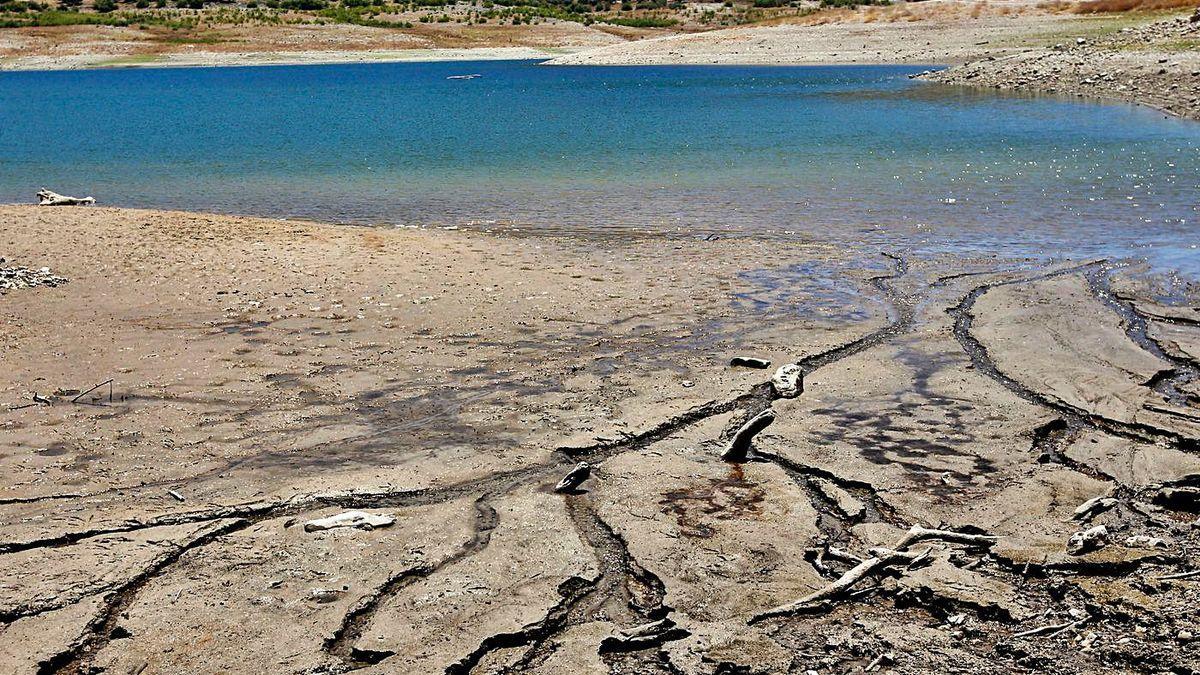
(621,578)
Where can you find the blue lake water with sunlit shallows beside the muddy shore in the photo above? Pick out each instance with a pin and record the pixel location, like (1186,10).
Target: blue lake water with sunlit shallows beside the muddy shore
(825,153)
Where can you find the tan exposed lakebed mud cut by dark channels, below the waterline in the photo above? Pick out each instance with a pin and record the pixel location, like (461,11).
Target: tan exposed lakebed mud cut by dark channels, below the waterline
(271,373)
